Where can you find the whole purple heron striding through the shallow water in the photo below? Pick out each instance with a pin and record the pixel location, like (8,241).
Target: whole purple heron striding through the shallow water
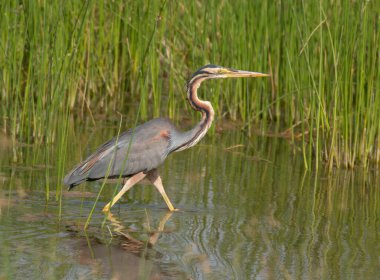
(138,152)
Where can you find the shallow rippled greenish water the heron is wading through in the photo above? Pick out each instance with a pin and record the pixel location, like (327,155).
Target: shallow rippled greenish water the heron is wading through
(248,210)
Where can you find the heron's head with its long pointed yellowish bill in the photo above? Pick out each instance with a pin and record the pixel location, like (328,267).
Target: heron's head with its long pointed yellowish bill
(211,71)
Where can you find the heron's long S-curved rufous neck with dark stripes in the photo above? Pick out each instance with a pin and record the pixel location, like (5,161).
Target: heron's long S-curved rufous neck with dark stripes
(190,138)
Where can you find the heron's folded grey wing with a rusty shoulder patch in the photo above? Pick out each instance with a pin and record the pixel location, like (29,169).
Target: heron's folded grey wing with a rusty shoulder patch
(143,149)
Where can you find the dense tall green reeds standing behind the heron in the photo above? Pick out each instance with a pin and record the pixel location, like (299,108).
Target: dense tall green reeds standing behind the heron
(79,60)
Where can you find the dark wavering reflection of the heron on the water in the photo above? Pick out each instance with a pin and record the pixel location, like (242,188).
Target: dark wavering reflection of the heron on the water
(128,254)
